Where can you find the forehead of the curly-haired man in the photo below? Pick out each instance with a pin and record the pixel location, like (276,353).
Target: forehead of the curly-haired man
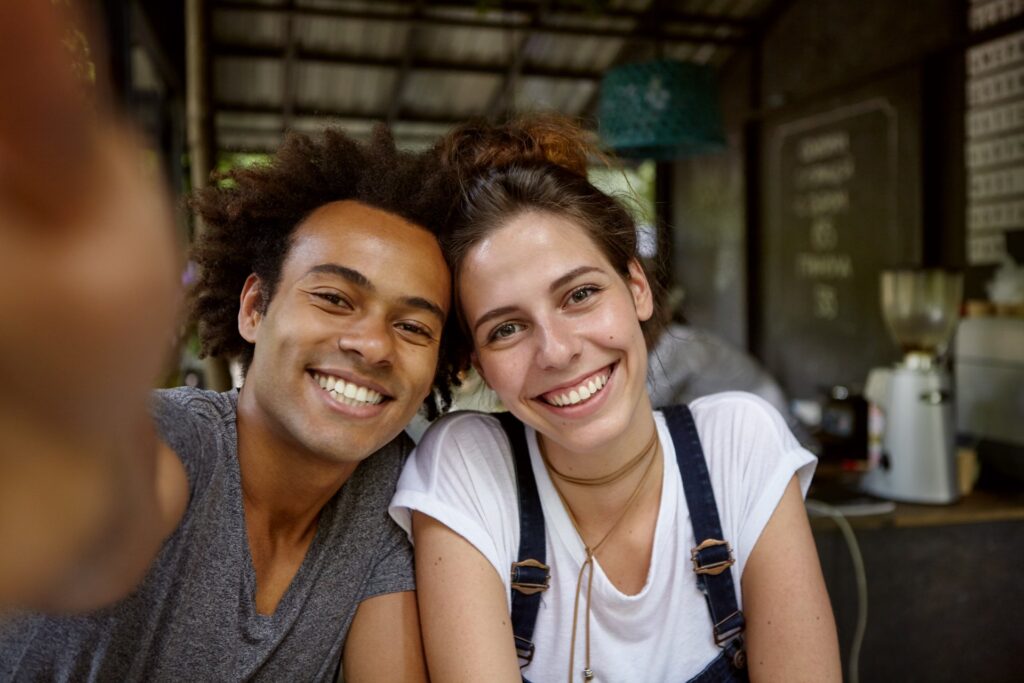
(394,253)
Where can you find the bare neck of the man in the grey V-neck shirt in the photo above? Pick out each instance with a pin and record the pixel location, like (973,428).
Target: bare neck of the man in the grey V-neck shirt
(284,486)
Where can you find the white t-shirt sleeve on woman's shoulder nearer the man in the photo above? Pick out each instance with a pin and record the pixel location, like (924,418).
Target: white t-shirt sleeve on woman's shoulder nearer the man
(462,476)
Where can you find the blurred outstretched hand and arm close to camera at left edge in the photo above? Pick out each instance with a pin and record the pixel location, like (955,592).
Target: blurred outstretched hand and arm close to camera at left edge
(88,301)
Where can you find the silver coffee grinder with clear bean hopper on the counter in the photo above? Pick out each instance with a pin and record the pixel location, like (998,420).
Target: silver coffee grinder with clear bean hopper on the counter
(912,428)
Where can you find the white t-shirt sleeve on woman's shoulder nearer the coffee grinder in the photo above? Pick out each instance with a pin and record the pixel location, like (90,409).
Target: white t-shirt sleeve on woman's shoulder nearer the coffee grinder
(752,457)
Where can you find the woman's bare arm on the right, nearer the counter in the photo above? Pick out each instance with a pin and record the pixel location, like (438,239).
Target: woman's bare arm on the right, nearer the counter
(791,631)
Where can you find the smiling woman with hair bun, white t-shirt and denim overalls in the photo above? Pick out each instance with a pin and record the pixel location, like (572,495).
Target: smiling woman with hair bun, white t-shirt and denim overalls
(569,548)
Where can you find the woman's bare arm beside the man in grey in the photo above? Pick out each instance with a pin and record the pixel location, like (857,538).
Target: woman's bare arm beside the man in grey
(466,627)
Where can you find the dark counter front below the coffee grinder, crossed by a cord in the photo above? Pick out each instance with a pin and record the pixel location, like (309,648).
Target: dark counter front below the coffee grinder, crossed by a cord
(943,602)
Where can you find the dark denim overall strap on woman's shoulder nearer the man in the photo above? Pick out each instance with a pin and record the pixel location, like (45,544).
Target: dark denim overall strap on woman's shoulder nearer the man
(531,575)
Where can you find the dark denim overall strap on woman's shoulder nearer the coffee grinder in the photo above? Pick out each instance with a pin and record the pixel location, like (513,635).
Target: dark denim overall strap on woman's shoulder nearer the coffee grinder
(713,557)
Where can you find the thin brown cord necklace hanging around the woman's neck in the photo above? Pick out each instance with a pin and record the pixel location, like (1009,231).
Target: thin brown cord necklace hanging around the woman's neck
(652,449)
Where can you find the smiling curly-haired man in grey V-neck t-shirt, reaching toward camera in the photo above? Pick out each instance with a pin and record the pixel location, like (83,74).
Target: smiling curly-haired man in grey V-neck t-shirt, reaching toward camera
(247,539)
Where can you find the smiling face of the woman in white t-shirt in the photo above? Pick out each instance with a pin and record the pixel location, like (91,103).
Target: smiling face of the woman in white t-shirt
(557,330)
